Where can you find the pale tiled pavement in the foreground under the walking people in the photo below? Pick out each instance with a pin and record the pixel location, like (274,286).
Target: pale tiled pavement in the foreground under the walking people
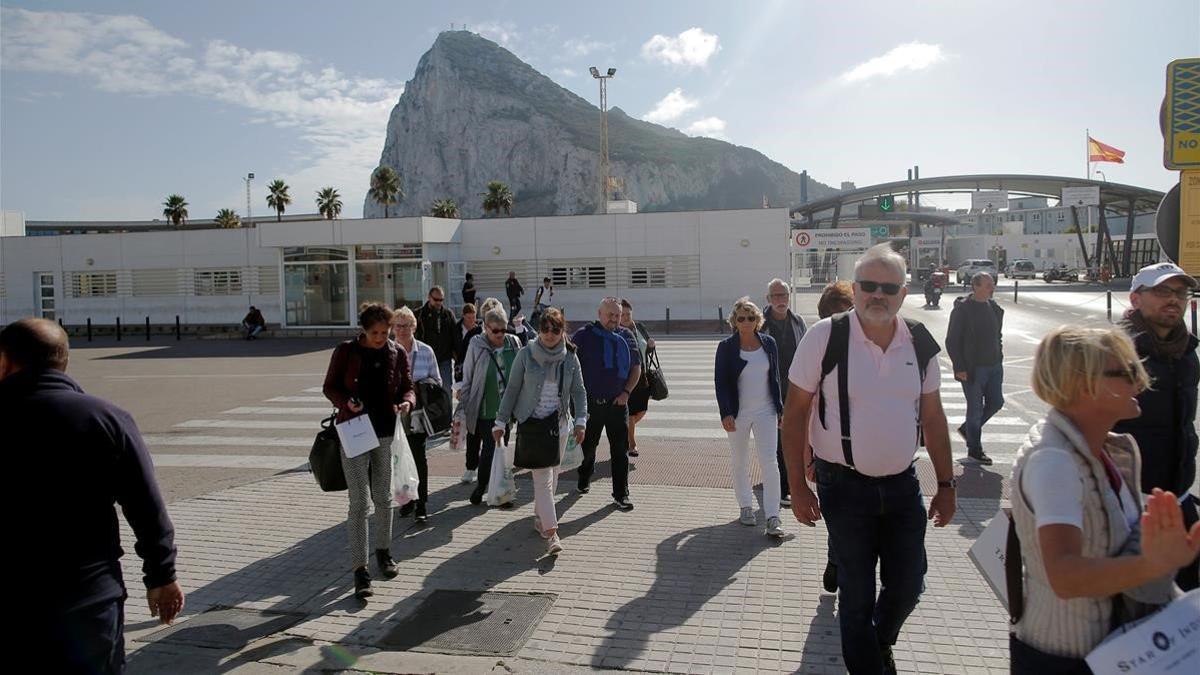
(677,586)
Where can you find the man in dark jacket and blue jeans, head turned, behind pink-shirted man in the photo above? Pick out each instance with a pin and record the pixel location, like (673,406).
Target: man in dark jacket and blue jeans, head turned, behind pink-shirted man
(976,349)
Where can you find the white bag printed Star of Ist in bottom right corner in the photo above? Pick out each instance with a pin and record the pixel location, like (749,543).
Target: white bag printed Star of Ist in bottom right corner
(1165,642)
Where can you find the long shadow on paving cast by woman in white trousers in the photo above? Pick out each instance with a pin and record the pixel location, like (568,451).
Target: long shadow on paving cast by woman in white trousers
(693,566)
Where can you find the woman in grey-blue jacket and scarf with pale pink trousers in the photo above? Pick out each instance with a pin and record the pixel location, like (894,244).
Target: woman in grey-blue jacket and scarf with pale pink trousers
(547,383)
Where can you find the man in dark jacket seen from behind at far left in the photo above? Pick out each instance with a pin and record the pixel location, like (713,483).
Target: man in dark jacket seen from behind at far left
(92,458)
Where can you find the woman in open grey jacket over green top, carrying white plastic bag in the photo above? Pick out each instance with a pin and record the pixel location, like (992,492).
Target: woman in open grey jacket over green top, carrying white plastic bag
(485,375)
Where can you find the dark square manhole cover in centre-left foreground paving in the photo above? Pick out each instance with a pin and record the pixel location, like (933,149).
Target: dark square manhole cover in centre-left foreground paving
(470,623)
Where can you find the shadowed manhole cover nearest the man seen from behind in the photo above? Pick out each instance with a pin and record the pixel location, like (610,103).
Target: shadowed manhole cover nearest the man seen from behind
(226,629)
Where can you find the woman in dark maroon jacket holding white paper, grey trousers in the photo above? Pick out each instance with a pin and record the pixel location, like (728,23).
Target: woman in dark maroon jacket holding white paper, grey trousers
(369,375)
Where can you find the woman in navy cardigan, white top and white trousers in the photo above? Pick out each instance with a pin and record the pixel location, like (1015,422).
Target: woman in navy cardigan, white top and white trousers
(748,398)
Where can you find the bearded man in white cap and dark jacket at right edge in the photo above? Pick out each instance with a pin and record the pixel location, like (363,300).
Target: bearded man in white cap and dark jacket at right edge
(1166,432)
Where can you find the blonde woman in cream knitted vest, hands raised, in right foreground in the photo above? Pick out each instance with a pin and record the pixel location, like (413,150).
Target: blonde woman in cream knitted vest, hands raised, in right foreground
(1093,559)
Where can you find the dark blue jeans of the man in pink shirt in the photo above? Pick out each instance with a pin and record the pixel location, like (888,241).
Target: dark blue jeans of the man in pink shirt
(874,522)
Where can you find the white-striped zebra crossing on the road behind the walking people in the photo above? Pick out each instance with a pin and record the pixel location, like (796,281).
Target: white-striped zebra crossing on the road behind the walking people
(278,433)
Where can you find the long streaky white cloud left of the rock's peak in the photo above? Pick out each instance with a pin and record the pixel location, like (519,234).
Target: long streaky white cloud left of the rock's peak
(340,117)
